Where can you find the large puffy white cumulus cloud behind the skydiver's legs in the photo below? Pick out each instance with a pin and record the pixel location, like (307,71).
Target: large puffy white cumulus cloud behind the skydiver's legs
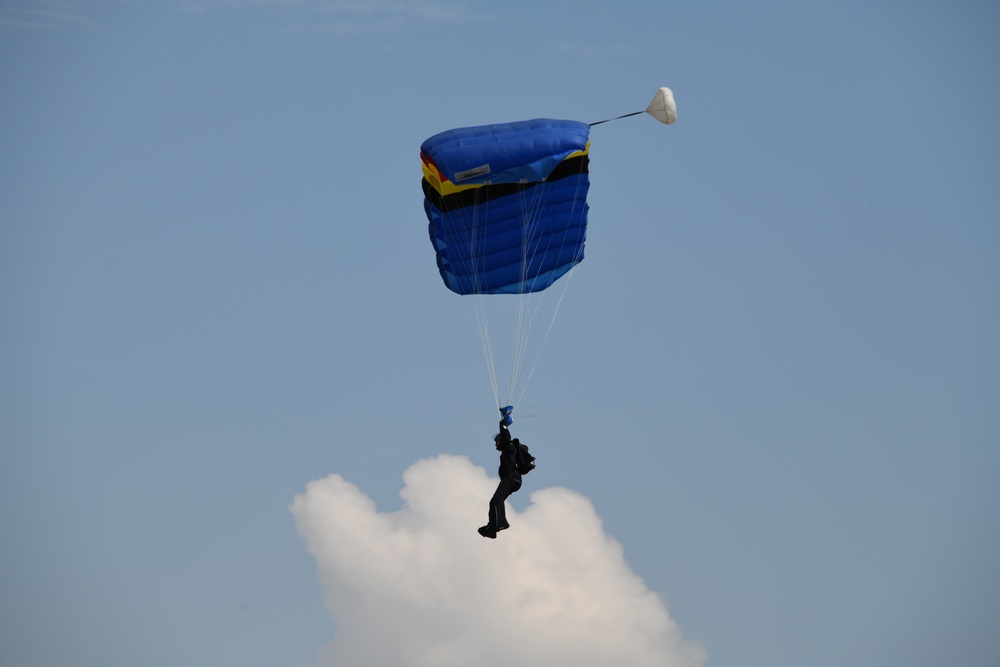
(420,587)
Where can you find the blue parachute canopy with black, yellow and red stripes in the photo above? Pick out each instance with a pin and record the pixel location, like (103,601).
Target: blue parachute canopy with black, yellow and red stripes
(507,204)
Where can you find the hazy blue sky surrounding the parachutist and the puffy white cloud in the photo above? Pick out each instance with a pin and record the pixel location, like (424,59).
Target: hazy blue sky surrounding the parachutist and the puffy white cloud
(775,376)
